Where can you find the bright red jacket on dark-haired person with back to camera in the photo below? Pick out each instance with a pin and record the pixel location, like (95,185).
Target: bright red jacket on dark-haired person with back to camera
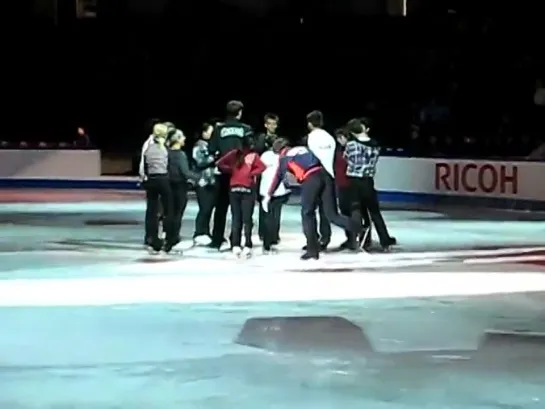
(242,175)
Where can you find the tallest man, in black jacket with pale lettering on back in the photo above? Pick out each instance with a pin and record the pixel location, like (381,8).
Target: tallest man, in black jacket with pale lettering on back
(228,136)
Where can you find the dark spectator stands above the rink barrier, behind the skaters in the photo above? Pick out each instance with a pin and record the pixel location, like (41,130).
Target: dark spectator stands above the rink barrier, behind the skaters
(451,85)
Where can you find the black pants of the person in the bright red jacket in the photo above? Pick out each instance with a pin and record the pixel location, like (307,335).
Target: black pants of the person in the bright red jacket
(242,211)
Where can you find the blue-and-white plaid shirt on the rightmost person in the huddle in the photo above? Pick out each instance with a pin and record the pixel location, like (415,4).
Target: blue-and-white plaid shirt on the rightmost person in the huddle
(362,158)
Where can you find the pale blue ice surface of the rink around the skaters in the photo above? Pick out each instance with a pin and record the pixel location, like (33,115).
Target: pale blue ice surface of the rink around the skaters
(90,321)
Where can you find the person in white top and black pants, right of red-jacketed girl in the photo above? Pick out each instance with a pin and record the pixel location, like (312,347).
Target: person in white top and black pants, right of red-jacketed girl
(272,214)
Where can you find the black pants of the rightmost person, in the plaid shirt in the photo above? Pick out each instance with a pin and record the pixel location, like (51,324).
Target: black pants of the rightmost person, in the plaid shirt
(364,196)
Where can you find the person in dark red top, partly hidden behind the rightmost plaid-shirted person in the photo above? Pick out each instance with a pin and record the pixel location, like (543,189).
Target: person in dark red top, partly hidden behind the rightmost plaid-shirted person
(343,193)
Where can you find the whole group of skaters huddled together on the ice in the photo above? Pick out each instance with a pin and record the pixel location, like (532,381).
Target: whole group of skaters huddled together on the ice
(231,167)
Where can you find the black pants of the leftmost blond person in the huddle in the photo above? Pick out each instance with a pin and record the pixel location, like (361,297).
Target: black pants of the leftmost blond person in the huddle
(158,194)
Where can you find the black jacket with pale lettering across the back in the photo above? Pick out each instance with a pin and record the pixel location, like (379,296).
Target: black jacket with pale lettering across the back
(229,135)
